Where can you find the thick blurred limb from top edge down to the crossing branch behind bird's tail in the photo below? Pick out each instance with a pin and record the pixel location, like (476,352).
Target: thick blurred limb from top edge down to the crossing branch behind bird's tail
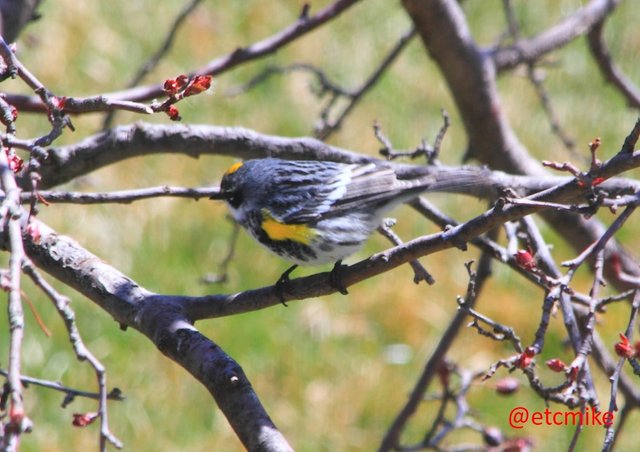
(470,75)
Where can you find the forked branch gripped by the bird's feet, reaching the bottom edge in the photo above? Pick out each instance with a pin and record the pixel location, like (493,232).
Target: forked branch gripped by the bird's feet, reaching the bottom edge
(168,320)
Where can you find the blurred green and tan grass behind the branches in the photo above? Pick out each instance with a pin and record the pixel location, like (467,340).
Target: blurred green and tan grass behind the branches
(321,366)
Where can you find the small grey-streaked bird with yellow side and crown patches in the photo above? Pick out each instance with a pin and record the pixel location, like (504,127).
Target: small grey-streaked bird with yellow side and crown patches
(316,212)
